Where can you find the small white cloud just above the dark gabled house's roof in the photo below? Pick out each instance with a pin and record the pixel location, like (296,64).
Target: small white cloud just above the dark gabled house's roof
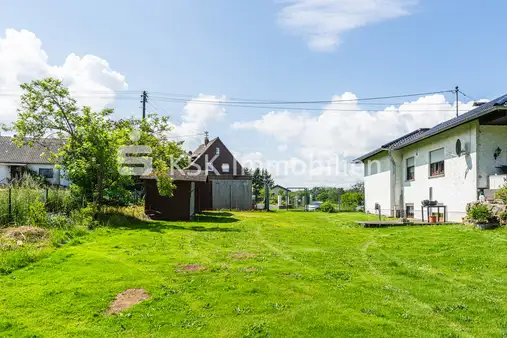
(198,114)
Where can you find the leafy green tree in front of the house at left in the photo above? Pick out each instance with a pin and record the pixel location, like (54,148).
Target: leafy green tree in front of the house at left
(89,155)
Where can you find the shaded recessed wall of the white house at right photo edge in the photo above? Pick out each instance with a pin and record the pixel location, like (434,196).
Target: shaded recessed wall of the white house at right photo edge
(489,138)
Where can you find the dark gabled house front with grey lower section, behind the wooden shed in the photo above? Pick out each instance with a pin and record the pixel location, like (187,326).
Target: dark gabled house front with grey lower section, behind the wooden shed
(228,187)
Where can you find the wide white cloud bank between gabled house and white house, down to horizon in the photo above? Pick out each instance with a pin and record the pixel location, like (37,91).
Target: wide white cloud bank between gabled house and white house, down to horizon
(325,142)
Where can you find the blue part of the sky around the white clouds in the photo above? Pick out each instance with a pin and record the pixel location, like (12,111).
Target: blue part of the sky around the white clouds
(243,49)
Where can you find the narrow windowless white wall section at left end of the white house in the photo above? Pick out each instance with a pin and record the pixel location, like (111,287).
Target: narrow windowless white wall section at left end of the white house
(377,184)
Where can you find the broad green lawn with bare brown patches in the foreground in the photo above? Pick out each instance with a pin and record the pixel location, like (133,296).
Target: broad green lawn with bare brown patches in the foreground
(276,274)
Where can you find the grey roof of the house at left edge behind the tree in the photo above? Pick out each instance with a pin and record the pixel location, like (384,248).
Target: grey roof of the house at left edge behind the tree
(11,153)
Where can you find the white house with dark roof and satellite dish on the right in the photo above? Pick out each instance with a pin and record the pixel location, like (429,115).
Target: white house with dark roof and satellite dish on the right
(425,165)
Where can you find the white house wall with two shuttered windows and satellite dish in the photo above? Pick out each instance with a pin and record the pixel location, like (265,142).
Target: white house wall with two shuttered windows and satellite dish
(459,185)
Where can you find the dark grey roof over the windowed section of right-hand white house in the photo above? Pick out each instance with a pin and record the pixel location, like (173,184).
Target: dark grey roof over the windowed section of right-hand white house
(457,121)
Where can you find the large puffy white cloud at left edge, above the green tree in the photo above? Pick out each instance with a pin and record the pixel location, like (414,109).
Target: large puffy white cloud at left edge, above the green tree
(22,59)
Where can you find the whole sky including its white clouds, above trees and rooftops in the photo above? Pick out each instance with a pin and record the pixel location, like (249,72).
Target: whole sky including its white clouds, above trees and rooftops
(195,58)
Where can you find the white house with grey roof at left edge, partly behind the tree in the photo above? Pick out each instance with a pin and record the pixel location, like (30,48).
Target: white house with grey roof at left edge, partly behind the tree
(15,161)
